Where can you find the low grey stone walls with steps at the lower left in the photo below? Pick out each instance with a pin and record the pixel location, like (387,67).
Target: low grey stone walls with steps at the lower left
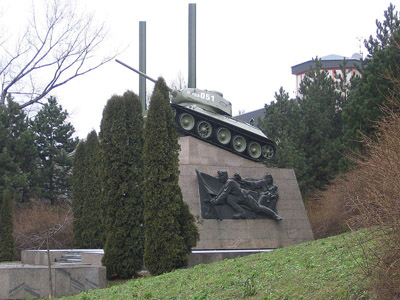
(30,279)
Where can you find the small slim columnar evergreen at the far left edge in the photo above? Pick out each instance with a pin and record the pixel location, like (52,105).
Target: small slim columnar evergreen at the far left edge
(6,228)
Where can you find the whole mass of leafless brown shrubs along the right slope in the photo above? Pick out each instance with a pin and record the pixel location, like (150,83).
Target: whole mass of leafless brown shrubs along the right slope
(369,196)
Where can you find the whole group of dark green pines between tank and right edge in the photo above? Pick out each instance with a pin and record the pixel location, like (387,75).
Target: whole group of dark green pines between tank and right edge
(315,132)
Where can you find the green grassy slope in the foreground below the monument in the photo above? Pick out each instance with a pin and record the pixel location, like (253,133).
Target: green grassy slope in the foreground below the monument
(323,269)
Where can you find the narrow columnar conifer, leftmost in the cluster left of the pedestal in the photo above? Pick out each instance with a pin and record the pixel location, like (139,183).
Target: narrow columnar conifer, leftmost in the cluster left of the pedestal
(78,193)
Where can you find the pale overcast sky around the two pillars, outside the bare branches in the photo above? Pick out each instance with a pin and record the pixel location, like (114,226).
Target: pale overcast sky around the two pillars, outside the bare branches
(245,49)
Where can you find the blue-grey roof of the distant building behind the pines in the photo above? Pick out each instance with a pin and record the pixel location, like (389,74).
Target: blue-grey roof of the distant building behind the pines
(331,61)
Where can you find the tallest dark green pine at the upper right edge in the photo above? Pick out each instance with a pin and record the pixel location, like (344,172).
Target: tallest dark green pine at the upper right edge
(370,92)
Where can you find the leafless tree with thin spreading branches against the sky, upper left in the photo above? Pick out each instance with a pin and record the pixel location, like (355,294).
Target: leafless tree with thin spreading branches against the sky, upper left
(57,46)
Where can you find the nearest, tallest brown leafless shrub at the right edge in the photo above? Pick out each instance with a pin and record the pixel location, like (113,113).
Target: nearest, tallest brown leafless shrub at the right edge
(375,201)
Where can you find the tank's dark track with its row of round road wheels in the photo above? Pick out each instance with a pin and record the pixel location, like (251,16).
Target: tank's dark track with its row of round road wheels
(245,143)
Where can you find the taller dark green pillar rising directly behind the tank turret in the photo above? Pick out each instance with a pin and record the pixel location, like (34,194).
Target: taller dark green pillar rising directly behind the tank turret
(192,45)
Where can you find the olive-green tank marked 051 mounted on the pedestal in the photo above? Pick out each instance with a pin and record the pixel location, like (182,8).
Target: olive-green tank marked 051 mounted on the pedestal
(206,115)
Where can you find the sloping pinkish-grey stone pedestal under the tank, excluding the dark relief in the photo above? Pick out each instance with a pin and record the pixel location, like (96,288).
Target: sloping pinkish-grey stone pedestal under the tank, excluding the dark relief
(241,234)
